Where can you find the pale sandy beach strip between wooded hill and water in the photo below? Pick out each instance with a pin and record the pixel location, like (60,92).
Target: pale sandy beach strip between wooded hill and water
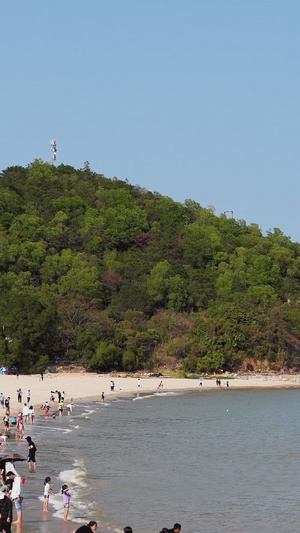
(87,386)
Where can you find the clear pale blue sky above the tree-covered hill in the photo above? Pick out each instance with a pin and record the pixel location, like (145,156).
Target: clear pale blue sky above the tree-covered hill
(193,99)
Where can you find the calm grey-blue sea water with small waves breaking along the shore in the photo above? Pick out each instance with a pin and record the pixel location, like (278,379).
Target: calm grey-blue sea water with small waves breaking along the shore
(211,460)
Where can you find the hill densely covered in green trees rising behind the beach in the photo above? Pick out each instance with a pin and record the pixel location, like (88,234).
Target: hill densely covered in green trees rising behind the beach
(99,272)
